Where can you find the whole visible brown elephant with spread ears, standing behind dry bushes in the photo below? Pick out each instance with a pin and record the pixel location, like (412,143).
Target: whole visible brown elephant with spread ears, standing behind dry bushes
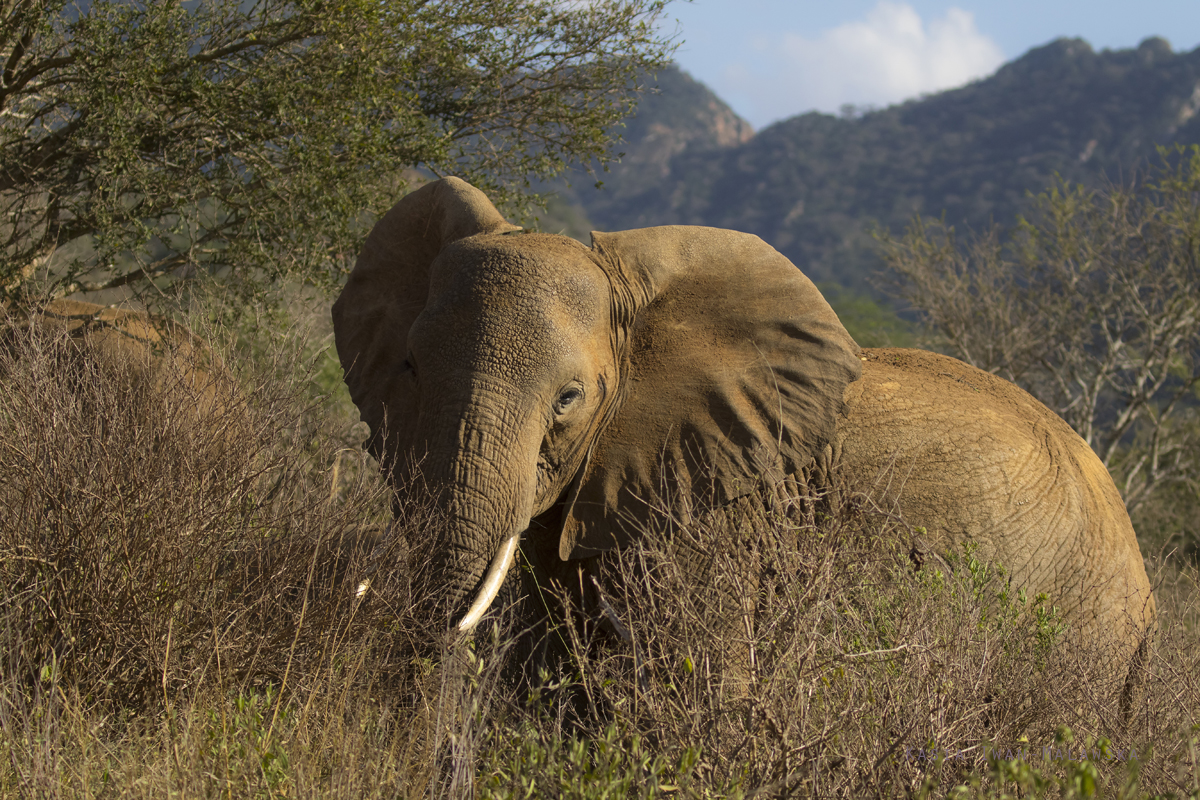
(541,383)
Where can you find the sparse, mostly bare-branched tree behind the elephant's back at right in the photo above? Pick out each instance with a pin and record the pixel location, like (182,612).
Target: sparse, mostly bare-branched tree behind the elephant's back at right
(1093,305)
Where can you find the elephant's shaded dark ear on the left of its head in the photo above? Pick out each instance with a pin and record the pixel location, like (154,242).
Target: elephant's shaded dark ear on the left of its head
(388,290)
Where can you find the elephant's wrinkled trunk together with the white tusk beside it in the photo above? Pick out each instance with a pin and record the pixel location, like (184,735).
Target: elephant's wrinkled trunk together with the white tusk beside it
(484,478)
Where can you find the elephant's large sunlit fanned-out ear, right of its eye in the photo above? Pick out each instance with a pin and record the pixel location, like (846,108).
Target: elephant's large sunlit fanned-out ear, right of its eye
(733,375)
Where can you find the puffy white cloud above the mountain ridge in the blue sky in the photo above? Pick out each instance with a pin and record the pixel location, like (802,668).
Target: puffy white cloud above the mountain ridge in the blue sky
(886,58)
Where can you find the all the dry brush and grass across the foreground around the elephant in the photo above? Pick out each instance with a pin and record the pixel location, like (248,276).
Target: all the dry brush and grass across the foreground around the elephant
(177,619)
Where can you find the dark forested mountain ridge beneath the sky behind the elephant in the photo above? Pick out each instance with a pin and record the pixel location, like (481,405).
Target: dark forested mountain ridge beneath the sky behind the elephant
(814,185)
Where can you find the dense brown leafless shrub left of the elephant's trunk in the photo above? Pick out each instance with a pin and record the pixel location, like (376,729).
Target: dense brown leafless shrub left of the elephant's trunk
(153,539)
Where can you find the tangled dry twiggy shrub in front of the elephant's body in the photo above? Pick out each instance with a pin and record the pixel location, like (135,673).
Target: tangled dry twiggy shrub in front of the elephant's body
(868,667)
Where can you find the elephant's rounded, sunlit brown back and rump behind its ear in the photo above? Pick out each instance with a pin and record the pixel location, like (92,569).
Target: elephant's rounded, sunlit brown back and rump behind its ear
(973,458)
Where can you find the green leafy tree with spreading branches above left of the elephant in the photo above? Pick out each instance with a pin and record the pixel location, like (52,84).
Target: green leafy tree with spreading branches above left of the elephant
(151,139)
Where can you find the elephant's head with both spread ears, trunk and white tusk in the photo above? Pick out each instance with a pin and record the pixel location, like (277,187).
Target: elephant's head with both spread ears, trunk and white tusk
(518,375)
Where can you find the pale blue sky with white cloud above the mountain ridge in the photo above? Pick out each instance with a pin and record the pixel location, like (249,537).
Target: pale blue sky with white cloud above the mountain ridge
(771,59)
